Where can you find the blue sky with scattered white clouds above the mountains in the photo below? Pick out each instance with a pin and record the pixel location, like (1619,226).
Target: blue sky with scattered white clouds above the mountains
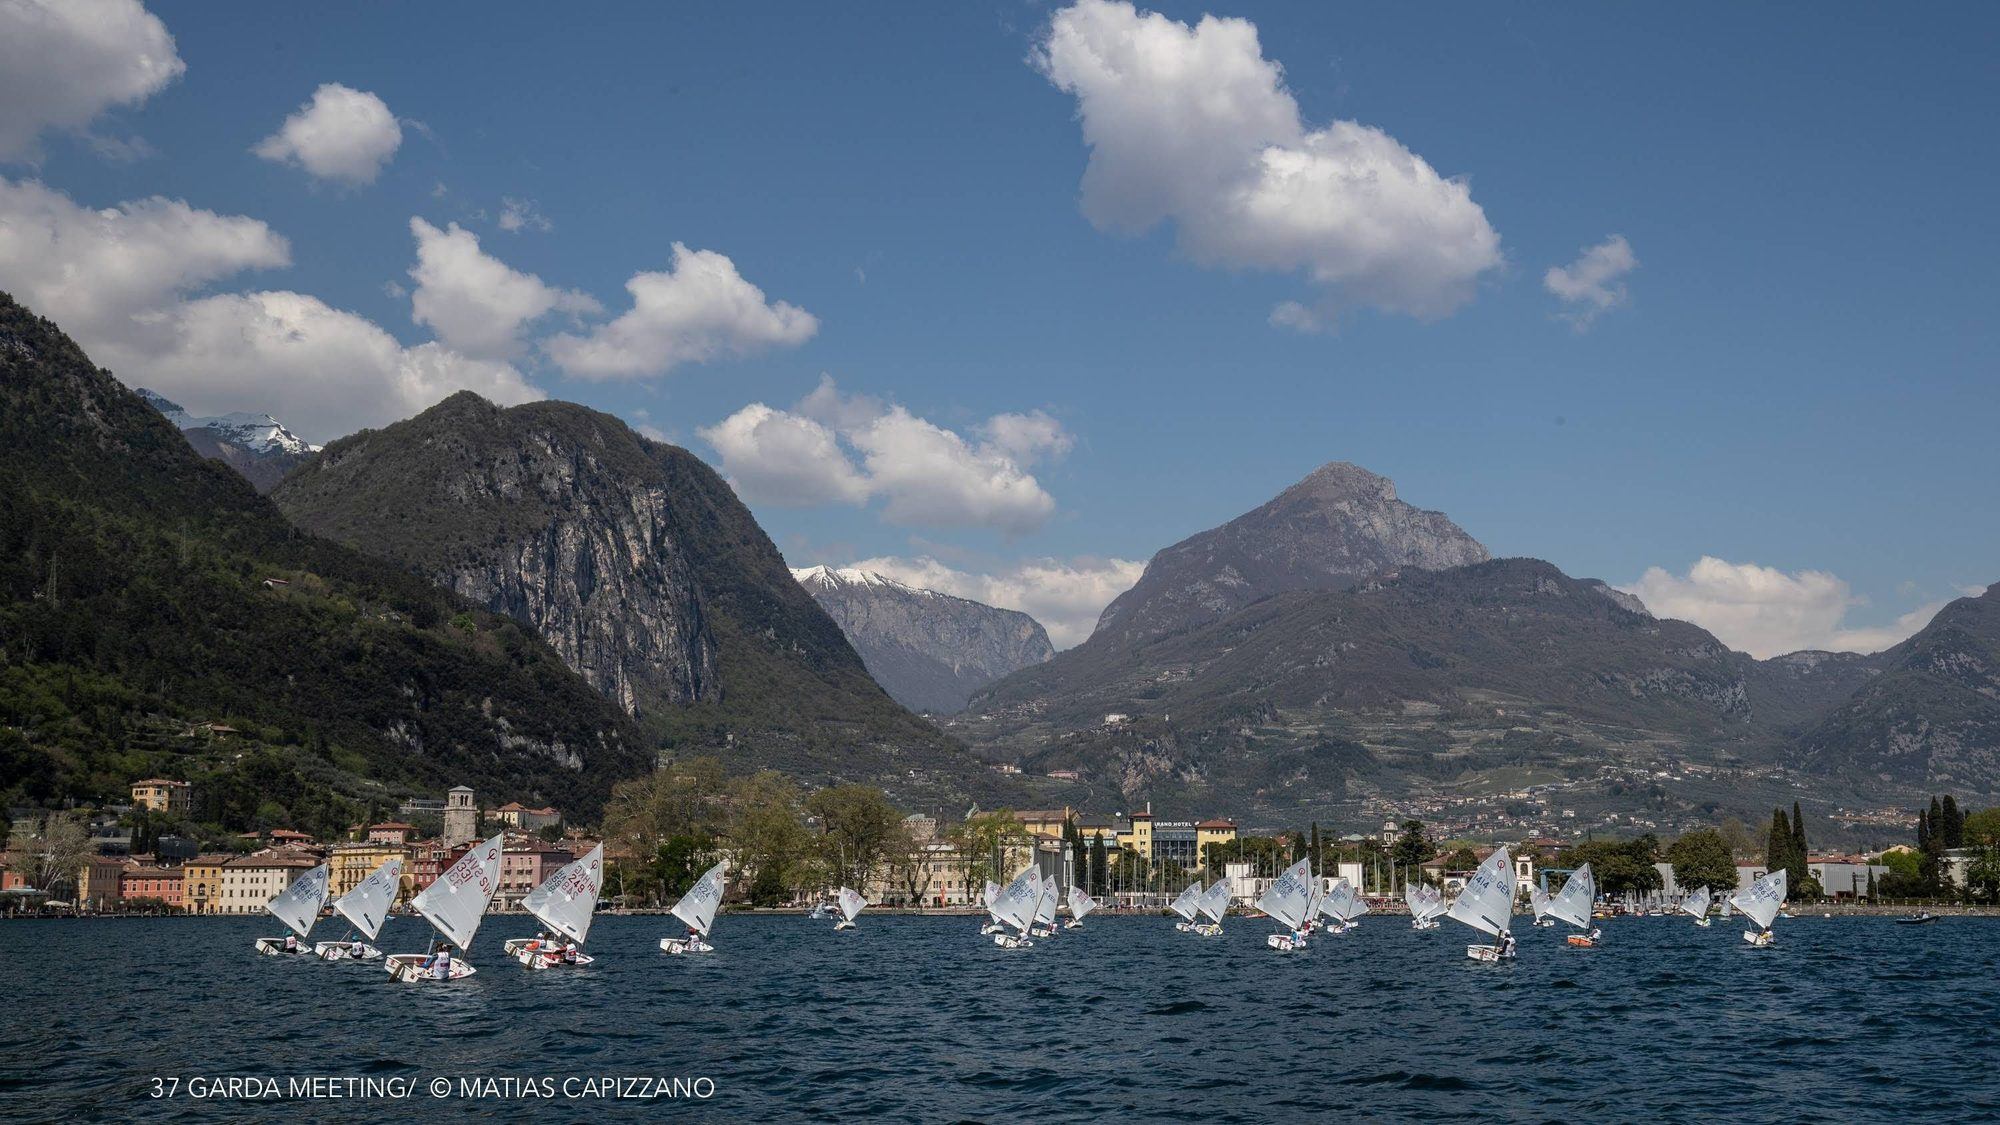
(1007,297)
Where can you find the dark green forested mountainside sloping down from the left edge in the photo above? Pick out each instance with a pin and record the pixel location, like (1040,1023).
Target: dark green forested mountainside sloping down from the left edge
(159,618)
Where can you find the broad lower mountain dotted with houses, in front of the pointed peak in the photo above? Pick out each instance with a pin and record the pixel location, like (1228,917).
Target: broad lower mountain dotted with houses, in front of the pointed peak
(1413,684)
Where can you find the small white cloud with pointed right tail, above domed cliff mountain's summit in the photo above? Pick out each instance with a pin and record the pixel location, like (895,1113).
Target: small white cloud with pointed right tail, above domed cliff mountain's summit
(473,301)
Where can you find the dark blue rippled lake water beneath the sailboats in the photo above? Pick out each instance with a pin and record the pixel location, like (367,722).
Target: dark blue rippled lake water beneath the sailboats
(923,1020)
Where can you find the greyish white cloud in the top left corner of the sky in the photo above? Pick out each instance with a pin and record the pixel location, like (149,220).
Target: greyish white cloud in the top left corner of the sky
(63,63)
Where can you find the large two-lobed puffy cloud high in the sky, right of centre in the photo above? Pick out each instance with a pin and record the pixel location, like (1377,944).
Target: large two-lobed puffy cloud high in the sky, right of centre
(1195,125)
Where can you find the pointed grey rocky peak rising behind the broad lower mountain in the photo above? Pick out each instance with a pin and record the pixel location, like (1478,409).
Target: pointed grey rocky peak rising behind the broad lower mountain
(1335,527)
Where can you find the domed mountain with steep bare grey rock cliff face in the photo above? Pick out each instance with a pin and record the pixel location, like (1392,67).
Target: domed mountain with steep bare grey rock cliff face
(643,570)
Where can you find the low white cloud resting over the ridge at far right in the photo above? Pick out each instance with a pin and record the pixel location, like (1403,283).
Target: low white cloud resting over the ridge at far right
(1767,612)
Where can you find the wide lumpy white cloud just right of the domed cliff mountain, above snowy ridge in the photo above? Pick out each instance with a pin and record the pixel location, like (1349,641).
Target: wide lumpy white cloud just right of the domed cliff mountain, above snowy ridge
(853,449)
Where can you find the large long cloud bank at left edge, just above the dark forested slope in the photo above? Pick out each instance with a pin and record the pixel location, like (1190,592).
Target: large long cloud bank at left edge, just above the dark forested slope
(127,283)
